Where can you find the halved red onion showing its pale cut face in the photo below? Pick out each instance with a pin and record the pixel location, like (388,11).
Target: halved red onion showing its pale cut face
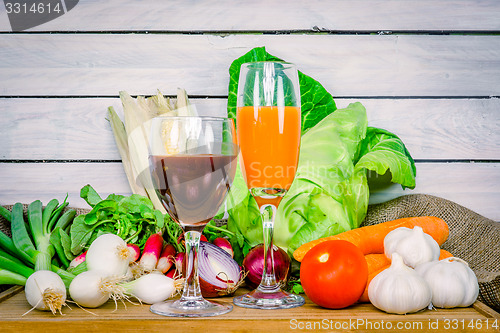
(219,273)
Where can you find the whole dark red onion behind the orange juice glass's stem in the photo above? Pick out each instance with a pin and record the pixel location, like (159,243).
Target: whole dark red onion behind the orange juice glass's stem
(254,265)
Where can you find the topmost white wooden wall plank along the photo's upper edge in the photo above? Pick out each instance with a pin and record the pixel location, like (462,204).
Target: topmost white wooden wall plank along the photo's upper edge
(212,15)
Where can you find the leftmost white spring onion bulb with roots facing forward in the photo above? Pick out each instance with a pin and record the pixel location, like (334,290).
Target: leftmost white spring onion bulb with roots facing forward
(45,291)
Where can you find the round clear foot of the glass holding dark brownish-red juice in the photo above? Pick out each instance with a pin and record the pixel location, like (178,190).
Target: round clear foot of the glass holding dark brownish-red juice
(197,308)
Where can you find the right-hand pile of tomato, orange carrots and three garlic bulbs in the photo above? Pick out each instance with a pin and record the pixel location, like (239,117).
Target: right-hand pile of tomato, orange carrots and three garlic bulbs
(397,265)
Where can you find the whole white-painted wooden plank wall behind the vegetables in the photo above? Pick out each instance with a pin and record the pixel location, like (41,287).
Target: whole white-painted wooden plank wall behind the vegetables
(428,71)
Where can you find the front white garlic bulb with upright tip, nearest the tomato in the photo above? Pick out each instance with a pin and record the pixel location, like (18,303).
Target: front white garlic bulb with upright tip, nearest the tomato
(399,289)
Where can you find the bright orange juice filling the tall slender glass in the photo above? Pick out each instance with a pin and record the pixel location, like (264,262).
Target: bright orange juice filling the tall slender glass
(269,139)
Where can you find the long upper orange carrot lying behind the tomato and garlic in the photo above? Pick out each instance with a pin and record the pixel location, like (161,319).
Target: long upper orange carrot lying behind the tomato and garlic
(370,239)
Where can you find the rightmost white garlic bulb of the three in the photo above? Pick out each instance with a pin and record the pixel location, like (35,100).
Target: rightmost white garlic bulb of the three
(452,282)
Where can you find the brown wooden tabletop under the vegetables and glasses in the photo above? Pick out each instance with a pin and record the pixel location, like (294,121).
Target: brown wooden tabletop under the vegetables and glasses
(357,318)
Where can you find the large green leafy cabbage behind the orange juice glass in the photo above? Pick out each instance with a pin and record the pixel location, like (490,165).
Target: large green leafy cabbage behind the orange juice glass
(330,192)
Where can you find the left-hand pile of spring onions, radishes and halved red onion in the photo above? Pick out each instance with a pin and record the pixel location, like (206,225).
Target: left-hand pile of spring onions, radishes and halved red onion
(122,249)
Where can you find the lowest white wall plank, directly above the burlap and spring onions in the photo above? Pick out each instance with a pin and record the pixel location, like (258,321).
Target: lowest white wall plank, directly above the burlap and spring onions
(473,185)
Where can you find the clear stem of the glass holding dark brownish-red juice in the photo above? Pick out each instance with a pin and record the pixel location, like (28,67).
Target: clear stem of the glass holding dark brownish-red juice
(191,292)
